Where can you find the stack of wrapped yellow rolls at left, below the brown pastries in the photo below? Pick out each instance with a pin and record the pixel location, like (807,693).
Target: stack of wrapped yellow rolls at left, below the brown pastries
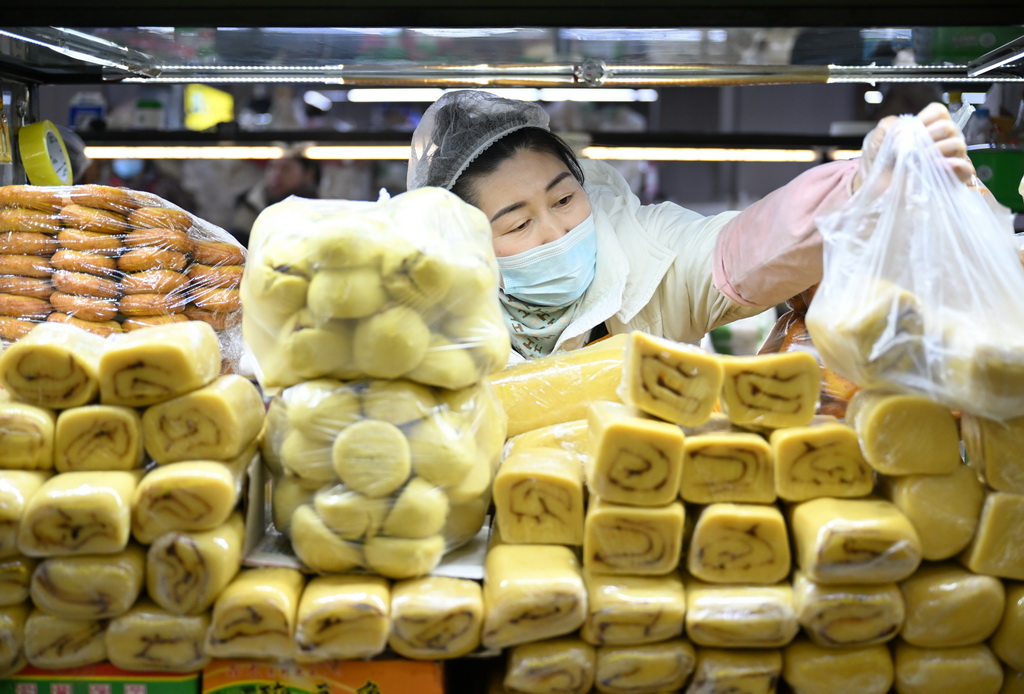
(121,473)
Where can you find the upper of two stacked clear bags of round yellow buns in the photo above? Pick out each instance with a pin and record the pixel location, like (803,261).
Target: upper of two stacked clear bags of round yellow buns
(401,289)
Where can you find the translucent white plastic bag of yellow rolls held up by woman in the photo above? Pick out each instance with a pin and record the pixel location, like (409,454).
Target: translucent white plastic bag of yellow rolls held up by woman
(922,285)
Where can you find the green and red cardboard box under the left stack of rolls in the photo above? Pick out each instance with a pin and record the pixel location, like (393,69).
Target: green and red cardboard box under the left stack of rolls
(102,679)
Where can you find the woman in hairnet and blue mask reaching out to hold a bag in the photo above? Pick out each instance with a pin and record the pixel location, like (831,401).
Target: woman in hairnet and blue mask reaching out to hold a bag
(580,256)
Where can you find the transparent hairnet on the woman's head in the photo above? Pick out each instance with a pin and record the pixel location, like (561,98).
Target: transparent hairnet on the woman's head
(458,127)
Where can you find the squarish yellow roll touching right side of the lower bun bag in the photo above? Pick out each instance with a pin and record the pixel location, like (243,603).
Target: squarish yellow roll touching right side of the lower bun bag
(539,498)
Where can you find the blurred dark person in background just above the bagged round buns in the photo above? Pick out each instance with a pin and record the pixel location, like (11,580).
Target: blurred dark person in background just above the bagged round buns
(290,176)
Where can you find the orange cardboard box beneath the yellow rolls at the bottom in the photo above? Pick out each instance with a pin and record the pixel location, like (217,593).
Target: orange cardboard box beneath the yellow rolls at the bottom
(350,677)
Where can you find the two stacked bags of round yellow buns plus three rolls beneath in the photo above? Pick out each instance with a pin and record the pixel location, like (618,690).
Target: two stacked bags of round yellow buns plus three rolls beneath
(373,327)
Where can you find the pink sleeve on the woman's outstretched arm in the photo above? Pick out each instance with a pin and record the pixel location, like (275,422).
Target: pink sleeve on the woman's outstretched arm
(773,250)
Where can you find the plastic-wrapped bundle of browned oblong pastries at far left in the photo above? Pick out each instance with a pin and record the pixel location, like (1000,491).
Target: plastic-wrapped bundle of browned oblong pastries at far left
(112,261)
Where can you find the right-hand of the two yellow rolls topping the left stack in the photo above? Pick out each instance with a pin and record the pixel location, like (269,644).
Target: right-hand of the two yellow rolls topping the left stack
(144,368)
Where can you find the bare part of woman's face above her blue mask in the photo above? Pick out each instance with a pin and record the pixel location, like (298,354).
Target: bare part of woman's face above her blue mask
(532,199)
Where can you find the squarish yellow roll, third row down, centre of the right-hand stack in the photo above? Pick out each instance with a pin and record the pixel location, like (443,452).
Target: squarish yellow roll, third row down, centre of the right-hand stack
(740,544)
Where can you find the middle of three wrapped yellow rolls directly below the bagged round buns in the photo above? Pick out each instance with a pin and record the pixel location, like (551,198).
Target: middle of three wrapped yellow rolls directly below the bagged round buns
(343,619)
